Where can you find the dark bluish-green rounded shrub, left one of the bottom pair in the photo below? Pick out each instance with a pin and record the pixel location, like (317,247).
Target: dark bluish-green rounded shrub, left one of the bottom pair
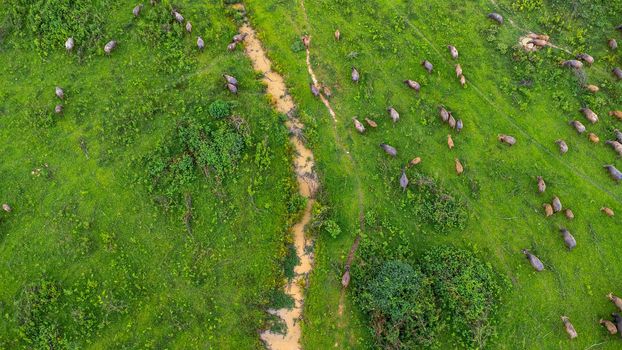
(401,306)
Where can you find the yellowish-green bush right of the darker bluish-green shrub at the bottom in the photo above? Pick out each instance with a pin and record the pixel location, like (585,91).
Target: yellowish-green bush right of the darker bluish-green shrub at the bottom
(468,290)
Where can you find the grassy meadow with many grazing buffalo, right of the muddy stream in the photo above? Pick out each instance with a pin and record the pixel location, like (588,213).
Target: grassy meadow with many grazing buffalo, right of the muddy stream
(508,91)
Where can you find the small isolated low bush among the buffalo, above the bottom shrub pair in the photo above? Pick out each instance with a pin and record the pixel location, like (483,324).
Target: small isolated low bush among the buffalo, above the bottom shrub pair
(435,205)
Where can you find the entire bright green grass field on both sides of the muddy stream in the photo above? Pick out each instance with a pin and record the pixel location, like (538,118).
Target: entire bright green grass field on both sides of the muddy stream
(96,254)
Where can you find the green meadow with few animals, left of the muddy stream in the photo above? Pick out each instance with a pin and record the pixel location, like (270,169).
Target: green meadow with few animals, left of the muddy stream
(96,252)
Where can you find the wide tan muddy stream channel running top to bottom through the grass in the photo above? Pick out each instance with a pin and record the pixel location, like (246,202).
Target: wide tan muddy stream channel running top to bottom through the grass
(308,185)
